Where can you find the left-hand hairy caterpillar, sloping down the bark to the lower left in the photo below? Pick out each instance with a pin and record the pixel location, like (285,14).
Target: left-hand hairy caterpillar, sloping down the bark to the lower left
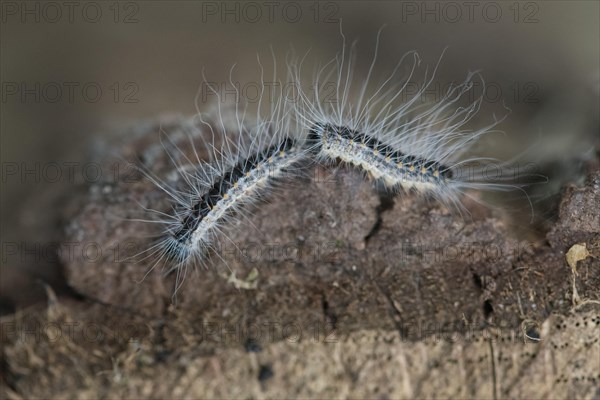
(245,157)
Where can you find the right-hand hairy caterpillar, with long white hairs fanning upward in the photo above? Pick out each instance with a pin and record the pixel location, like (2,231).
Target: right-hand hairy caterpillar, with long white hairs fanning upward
(397,138)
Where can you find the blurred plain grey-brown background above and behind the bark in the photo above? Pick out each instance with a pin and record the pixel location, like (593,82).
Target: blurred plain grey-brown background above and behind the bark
(147,59)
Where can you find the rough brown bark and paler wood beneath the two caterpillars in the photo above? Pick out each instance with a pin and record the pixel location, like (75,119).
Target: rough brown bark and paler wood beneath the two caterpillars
(326,289)
